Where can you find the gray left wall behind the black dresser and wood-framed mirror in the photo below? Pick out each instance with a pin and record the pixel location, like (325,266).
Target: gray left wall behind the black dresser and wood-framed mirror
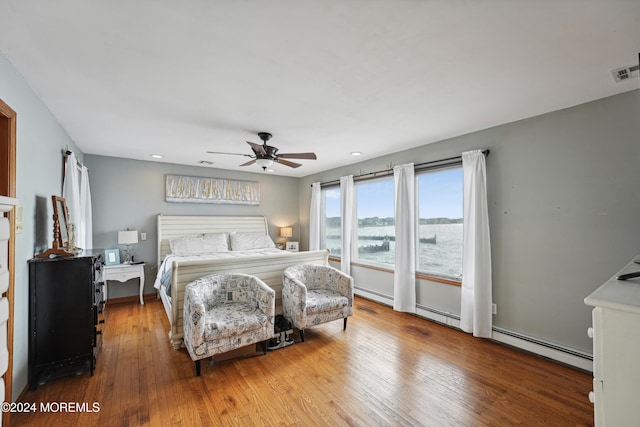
(41,142)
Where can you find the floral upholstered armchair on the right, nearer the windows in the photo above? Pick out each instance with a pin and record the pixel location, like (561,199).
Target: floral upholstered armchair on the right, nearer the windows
(315,294)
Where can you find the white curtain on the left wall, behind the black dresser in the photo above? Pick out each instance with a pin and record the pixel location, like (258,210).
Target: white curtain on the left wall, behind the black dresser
(77,197)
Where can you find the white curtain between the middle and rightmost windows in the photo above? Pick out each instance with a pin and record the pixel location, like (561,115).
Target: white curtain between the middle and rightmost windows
(404,278)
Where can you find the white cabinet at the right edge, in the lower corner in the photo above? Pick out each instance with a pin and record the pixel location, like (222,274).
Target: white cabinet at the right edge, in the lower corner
(616,351)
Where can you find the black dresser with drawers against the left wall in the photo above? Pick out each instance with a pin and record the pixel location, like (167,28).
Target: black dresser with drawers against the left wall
(66,303)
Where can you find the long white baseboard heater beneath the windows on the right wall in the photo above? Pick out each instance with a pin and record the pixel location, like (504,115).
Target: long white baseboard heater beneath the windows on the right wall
(565,355)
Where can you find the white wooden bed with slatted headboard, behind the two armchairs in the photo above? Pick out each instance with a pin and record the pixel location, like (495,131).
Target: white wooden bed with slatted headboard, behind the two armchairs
(176,270)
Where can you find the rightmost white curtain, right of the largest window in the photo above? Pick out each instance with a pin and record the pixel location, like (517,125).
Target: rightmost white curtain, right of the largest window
(476,298)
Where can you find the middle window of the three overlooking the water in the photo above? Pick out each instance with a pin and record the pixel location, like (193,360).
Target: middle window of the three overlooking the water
(376,224)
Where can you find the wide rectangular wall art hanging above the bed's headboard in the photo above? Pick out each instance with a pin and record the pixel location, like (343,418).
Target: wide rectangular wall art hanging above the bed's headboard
(191,189)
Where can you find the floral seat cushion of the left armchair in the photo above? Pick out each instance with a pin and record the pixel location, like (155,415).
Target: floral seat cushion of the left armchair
(232,319)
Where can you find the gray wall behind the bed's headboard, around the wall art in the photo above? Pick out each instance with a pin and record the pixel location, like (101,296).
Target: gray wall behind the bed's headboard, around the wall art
(130,193)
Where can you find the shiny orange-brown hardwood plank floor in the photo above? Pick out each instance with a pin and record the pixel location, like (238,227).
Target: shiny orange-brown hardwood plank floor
(387,368)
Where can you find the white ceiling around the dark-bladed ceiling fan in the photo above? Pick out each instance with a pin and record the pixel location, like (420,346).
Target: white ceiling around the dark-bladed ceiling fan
(178,78)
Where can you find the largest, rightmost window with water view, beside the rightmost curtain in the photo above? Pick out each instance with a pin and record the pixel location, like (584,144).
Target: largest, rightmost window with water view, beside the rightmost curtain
(440,223)
